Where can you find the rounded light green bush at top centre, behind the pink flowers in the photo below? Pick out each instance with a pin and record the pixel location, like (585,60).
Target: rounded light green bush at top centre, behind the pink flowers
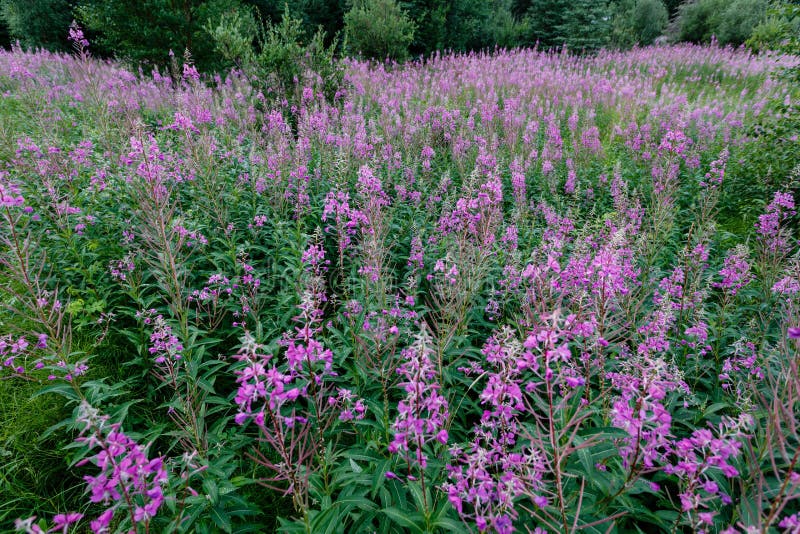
(379,29)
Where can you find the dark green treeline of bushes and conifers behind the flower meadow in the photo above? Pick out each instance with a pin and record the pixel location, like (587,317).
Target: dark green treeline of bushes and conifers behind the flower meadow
(215,31)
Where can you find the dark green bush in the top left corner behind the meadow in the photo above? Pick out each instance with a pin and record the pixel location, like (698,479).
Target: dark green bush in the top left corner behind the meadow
(37,23)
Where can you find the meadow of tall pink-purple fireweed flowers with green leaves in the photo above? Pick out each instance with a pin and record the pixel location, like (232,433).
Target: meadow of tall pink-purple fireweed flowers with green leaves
(519,291)
